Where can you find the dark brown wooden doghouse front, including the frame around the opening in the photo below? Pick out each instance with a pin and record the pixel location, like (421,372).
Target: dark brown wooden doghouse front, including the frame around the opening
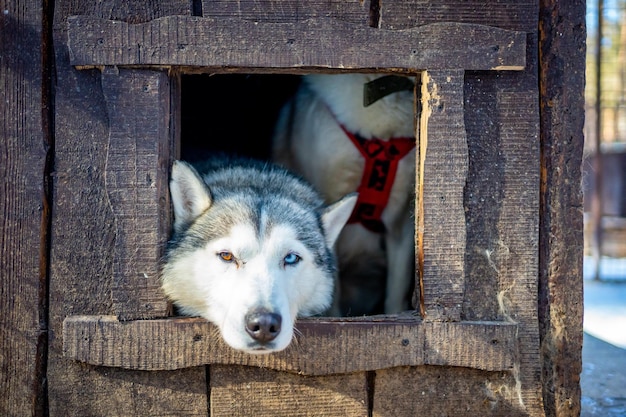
(498,212)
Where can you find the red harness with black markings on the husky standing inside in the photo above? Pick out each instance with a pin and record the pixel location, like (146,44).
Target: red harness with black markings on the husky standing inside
(381,164)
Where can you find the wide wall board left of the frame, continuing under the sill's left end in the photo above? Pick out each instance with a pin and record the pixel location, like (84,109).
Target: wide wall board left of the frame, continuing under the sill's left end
(83,238)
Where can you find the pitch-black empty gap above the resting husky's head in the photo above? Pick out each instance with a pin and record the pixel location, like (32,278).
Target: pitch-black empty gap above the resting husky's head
(232,113)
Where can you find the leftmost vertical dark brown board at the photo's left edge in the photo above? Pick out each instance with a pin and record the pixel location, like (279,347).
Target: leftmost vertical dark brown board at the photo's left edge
(24,210)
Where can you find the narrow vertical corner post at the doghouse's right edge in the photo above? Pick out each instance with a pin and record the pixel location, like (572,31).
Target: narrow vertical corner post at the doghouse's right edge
(562,80)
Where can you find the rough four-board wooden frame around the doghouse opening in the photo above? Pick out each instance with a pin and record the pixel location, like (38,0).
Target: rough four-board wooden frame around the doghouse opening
(140,68)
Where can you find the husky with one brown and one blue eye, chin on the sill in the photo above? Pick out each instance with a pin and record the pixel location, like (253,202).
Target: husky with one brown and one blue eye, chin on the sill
(251,250)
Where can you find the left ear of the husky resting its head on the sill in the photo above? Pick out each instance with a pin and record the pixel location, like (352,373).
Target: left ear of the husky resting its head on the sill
(190,195)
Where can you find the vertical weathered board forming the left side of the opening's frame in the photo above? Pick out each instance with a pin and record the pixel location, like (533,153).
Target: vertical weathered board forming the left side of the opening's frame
(139,154)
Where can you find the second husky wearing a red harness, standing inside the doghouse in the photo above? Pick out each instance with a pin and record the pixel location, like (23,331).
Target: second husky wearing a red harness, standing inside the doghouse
(327,134)
